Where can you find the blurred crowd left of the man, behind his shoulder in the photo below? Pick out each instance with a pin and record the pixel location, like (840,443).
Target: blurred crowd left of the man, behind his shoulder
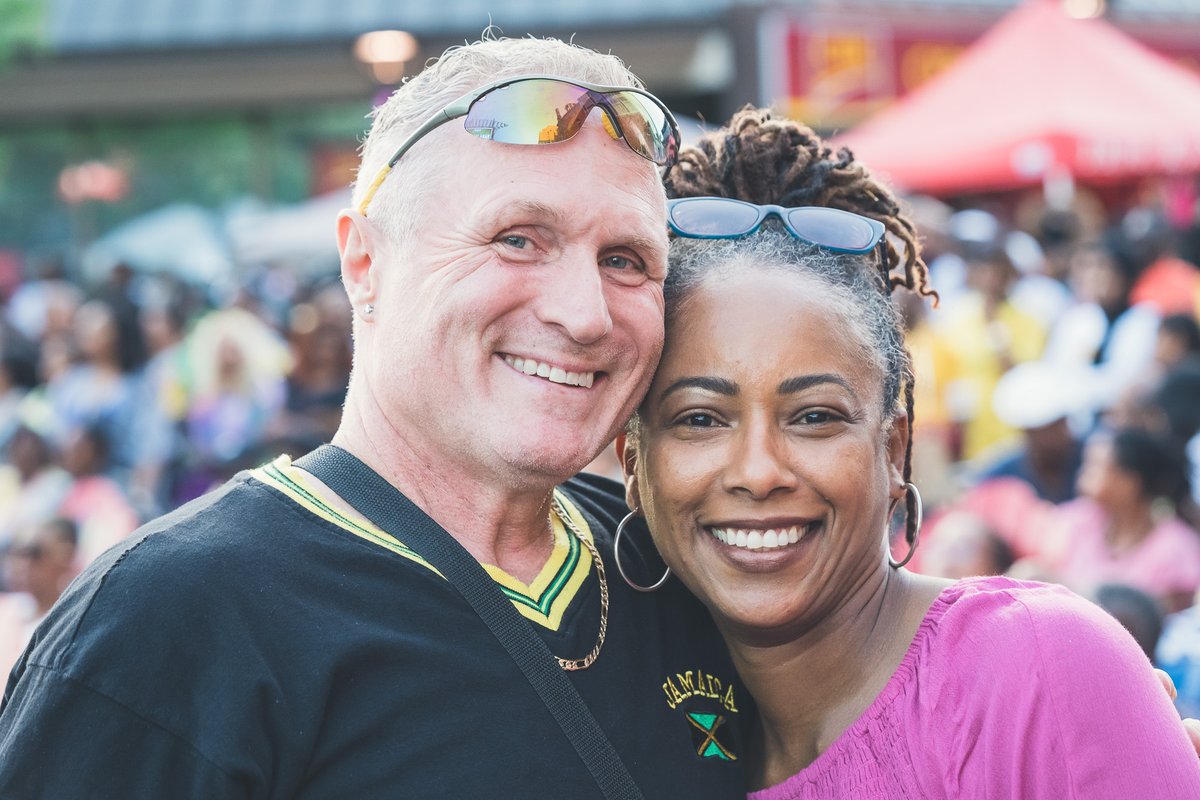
(123,401)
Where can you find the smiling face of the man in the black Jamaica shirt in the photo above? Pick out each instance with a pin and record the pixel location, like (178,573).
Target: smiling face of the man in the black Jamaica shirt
(527,260)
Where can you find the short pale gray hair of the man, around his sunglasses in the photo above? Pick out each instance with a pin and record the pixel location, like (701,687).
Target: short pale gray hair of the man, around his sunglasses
(459,71)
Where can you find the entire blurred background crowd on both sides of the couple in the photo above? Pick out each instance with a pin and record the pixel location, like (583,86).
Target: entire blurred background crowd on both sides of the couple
(1058,406)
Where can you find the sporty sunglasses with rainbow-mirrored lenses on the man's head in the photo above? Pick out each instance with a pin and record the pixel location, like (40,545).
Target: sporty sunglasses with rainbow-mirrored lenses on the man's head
(544,110)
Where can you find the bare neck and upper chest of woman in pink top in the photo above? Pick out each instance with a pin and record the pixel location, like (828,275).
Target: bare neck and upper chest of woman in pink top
(812,689)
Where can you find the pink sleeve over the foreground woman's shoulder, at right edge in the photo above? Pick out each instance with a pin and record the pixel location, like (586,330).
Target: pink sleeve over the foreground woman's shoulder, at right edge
(1036,693)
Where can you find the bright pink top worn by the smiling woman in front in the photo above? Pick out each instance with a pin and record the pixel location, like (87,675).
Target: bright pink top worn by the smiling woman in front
(1011,690)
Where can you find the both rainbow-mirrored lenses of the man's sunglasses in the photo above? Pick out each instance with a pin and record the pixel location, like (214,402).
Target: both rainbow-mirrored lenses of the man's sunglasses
(545,112)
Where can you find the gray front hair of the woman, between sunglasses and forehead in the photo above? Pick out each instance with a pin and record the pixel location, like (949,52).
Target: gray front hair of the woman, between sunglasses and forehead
(863,304)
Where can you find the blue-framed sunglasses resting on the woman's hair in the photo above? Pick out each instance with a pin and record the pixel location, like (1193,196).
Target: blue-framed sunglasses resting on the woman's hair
(721,218)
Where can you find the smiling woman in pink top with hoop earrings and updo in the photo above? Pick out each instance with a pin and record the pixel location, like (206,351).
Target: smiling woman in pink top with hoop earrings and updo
(777,447)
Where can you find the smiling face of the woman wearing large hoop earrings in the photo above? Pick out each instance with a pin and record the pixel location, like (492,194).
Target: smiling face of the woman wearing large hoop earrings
(765,466)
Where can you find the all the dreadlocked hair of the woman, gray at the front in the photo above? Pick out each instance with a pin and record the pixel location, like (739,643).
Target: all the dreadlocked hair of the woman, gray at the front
(764,160)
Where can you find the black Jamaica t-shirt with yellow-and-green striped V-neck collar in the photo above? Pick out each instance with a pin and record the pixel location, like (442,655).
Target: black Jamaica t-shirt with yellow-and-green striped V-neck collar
(257,643)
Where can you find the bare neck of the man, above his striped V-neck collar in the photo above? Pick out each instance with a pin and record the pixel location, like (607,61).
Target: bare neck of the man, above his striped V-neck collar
(497,522)
